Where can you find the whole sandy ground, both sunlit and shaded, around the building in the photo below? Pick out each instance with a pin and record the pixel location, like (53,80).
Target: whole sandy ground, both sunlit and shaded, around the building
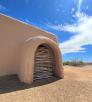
(75,87)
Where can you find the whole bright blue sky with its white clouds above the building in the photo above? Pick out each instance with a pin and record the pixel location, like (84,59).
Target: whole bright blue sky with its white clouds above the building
(70,21)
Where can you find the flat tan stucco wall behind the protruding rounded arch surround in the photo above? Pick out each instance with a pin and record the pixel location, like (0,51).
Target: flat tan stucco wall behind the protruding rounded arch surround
(13,36)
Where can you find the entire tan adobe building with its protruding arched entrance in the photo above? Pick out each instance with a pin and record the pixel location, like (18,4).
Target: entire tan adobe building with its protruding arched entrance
(27,51)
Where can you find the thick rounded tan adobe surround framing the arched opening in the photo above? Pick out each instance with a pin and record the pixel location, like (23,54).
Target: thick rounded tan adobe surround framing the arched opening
(28,55)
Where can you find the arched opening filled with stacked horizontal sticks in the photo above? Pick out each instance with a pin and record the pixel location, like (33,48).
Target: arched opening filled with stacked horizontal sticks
(44,62)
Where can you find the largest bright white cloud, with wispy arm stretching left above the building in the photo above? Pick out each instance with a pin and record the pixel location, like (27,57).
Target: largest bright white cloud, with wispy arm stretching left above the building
(82,30)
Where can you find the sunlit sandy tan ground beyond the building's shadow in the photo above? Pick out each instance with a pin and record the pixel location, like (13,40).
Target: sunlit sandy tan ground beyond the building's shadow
(75,87)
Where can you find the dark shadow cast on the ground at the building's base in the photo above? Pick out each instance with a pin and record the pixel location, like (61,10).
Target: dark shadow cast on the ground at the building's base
(12,83)
